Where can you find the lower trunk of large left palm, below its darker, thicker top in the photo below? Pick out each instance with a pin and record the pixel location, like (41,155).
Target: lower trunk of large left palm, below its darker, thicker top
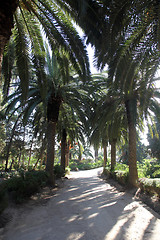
(51,132)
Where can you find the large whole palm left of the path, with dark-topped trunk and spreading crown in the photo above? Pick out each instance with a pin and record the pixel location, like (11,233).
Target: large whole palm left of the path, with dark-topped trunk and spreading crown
(53,93)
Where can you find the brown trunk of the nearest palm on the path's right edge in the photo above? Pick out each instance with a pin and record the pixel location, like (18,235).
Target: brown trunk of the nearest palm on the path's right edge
(133,174)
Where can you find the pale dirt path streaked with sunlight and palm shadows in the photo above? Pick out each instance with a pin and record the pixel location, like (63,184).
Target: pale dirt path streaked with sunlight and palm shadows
(86,208)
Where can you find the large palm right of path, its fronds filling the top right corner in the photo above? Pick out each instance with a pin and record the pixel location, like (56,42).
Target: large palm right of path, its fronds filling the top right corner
(128,40)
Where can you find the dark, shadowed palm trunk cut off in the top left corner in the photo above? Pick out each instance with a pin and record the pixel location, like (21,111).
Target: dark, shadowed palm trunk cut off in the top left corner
(7,9)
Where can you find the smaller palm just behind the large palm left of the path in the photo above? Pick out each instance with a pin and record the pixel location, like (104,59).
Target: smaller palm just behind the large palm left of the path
(71,125)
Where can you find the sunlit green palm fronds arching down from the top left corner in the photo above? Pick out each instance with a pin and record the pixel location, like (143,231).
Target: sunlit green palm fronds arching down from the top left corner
(31,22)
